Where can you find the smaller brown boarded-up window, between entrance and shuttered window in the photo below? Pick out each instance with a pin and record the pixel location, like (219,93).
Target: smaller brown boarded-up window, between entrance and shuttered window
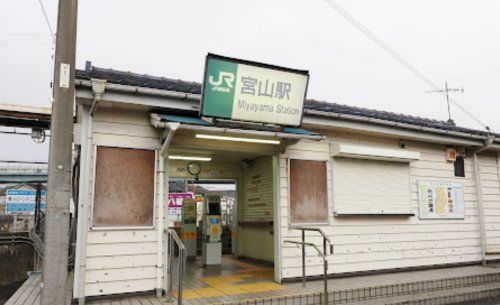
(308,191)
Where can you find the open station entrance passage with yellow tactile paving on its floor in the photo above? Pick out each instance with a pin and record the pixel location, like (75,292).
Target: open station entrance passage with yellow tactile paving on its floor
(246,191)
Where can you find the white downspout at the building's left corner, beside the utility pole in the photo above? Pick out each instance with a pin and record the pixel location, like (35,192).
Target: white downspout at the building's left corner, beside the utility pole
(98,87)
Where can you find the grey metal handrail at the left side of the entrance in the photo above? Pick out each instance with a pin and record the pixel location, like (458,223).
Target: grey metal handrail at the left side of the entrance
(173,237)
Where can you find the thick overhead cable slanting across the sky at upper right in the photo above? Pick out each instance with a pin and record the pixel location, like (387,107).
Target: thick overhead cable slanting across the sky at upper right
(401,60)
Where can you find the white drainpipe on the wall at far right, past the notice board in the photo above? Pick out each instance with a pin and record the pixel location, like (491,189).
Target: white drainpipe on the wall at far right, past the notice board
(479,192)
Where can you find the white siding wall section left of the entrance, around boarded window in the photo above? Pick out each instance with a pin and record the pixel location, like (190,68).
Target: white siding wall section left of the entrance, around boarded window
(121,260)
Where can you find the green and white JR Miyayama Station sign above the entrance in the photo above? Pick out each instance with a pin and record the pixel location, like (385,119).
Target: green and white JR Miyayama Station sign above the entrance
(247,91)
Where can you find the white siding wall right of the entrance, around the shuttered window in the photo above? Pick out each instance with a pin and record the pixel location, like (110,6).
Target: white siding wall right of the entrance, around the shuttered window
(383,242)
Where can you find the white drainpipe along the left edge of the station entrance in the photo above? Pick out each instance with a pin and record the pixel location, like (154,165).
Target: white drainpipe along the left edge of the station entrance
(162,202)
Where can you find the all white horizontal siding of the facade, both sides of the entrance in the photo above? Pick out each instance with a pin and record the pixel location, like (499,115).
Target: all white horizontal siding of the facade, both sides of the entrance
(119,261)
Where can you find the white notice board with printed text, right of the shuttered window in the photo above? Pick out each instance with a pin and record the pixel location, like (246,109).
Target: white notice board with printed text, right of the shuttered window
(441,200)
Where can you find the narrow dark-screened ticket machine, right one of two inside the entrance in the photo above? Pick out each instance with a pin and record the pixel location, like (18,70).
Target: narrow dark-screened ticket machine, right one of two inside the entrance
(211,249)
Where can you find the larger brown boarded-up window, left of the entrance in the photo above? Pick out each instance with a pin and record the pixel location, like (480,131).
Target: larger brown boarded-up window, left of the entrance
(124,187)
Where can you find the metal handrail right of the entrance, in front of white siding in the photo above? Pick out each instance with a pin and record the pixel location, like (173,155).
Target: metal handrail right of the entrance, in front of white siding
(323,254)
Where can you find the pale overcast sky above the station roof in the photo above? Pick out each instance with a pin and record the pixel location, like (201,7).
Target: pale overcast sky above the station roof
(448,40)
